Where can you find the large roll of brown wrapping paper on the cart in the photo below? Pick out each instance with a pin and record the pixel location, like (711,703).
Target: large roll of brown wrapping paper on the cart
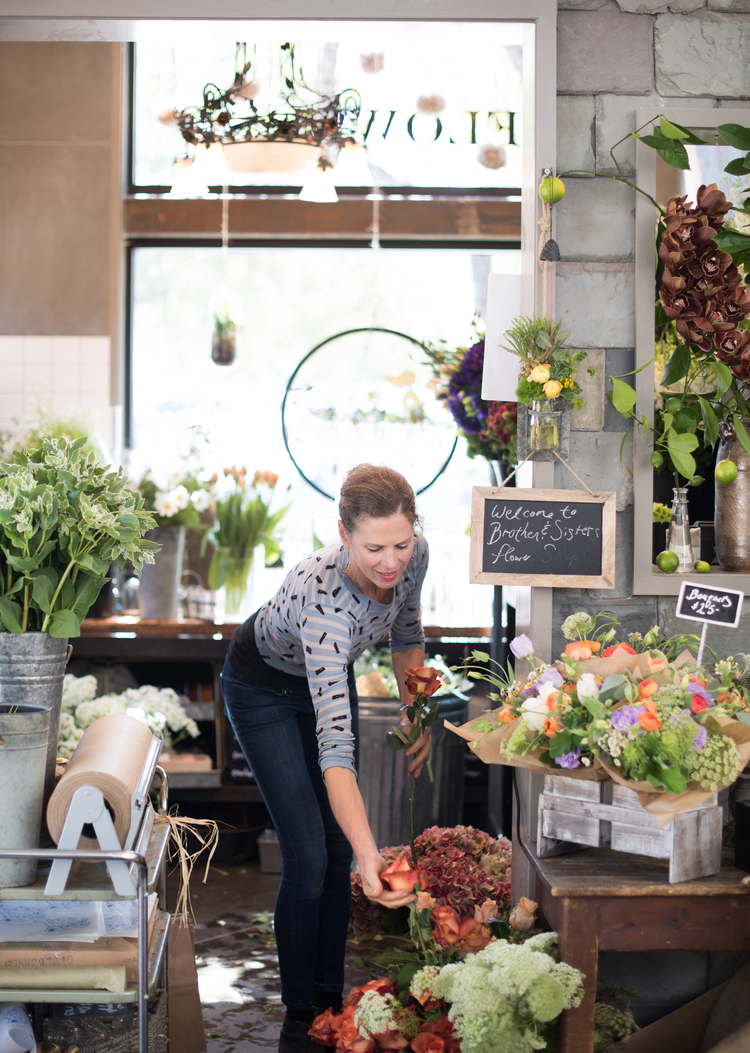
(110,757)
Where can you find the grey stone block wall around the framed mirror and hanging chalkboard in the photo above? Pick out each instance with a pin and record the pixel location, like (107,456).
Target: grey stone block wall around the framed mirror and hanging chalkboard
(614,57)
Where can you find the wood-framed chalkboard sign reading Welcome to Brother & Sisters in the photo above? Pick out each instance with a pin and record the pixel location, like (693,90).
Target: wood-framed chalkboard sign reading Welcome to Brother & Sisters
(543,538)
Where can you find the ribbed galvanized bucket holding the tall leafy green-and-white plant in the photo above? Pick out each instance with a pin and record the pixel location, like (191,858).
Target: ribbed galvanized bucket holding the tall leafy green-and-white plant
(32,671)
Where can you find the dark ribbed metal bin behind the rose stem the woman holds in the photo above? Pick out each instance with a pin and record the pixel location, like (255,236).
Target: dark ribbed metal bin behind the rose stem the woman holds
(384,783)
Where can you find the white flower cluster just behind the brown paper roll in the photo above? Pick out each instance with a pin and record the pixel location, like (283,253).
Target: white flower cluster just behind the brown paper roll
(159,708)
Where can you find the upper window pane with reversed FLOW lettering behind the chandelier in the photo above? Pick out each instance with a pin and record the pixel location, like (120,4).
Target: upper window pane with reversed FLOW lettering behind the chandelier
(476,75)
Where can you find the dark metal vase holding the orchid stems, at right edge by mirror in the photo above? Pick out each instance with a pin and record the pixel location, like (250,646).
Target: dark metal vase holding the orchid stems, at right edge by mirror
(733,504)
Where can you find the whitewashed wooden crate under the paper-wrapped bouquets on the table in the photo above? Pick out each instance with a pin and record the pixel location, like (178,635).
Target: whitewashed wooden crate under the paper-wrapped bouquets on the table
(575,814)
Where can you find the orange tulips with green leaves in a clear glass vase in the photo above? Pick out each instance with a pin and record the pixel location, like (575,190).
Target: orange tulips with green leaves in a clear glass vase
(244,522)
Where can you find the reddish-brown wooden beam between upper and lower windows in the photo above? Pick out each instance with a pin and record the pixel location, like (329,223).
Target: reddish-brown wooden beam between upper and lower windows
(442,220)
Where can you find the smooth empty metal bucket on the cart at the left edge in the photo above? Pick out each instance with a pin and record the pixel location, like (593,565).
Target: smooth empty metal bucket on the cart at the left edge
(25,734)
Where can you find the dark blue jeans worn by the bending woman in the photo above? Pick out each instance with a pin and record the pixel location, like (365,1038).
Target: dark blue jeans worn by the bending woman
(277,729)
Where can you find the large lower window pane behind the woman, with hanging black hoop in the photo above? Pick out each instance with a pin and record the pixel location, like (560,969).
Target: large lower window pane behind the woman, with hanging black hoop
(285,303)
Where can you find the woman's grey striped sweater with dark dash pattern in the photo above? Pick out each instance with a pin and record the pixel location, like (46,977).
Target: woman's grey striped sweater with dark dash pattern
(319,623)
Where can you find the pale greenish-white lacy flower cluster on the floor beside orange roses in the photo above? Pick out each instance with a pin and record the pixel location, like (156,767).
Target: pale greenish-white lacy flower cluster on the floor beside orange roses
(500,996)
